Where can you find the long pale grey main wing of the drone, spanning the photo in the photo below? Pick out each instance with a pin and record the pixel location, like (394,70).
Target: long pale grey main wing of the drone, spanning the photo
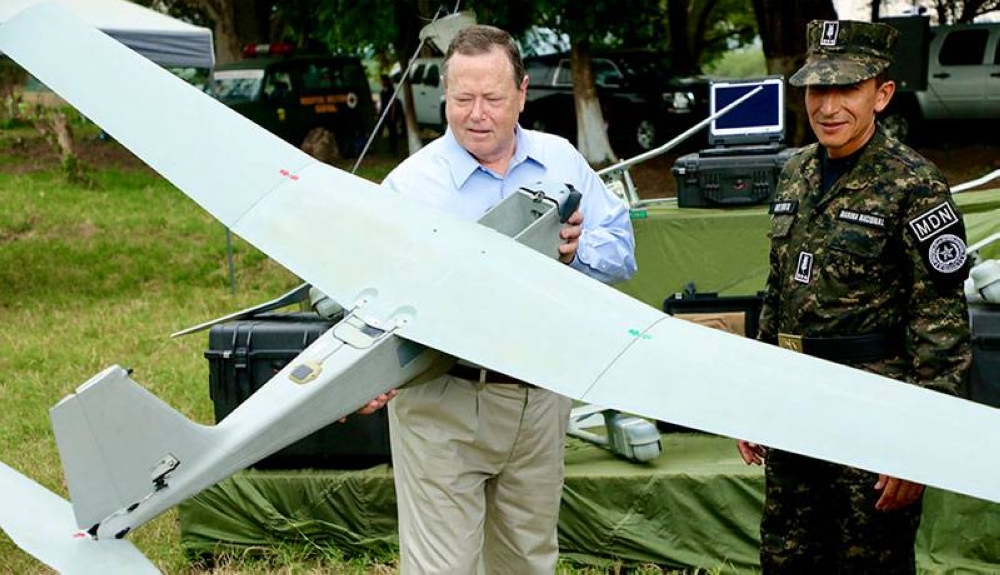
(473,293)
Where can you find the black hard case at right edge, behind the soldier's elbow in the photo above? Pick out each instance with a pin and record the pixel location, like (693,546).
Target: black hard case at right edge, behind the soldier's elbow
(984,378)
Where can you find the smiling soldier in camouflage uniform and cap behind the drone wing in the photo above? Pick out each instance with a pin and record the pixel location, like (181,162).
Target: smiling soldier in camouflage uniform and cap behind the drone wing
(866,269)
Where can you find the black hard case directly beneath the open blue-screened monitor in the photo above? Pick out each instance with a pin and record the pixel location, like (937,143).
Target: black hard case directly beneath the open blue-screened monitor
(716,178)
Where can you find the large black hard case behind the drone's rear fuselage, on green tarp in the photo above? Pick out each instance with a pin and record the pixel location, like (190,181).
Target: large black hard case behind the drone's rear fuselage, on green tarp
(243,355)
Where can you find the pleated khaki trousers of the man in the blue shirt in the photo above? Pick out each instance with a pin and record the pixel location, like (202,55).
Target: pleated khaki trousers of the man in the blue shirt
(478,470)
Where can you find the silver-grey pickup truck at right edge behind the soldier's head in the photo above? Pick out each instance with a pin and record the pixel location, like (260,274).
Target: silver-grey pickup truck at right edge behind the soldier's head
(962,78)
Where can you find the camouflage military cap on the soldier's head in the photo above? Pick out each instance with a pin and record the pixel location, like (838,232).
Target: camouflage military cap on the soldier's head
(844,52)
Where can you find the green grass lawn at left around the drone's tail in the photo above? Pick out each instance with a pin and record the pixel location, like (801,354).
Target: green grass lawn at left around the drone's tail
(93,277)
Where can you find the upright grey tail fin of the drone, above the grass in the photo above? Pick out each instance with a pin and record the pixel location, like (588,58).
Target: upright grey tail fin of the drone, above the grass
(118,442)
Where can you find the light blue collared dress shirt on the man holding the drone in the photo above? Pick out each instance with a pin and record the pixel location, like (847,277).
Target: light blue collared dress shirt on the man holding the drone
(444,175)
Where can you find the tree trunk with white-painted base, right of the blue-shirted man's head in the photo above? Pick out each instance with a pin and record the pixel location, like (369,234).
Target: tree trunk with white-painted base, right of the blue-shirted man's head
(592,135)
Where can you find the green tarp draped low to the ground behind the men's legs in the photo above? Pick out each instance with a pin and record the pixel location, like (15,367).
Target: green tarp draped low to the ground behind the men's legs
(698,505)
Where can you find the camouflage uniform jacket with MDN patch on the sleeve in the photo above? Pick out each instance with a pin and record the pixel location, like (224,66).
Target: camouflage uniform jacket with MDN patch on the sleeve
(883,250)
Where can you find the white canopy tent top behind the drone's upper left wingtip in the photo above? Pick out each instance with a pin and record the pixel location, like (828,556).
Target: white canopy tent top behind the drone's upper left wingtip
(164,40)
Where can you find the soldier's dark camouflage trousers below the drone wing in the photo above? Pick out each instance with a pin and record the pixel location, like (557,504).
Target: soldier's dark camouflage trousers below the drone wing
(820,519)
